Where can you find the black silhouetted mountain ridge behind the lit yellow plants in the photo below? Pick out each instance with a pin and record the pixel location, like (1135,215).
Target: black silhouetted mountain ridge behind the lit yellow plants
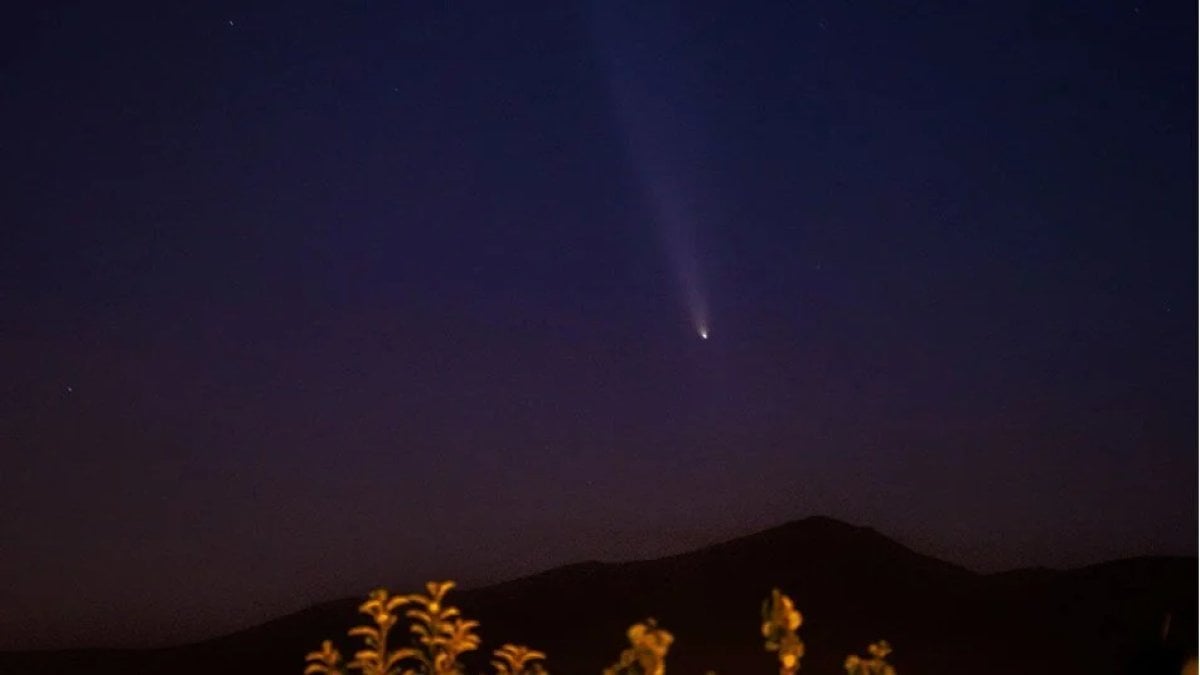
(853,584)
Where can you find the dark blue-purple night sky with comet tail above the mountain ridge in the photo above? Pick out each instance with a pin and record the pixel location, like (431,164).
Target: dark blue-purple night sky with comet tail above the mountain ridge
(307,298)
